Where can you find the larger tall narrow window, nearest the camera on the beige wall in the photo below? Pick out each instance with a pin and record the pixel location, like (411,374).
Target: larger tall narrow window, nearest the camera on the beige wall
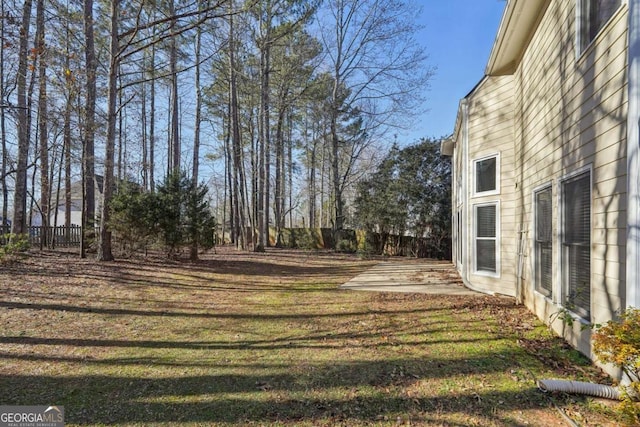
(576,244)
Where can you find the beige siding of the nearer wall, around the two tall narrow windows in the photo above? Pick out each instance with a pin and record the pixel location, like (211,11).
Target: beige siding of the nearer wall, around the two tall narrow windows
(570,113)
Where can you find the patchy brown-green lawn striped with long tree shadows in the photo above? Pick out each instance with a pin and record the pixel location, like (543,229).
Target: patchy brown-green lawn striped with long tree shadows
(269,339)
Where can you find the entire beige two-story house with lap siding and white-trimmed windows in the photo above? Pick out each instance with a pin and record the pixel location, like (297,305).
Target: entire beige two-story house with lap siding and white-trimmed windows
(546,203)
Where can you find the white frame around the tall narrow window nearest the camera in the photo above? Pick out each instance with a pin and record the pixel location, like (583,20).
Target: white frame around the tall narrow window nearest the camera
(561,273)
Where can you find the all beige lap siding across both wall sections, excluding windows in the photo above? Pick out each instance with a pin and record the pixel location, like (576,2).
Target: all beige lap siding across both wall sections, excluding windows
(561,114)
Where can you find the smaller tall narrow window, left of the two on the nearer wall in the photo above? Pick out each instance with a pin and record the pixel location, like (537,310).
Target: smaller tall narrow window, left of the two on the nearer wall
(543,242)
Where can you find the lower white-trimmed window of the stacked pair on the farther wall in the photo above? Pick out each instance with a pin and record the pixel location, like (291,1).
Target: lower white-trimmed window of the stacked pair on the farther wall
(486,238)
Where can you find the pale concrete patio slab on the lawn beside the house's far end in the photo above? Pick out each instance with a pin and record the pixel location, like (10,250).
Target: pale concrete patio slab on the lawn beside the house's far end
(411,275)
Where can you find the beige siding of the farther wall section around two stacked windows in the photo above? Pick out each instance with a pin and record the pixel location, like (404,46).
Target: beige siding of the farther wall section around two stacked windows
(488,132)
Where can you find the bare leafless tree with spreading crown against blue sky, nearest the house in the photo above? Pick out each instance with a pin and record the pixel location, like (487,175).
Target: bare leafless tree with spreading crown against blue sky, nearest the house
(378,72)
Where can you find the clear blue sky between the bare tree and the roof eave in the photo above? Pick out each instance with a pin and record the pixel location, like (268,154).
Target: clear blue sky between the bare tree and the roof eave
(458,36)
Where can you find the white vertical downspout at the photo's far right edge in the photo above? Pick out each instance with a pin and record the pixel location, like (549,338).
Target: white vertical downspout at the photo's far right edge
(633,160)
